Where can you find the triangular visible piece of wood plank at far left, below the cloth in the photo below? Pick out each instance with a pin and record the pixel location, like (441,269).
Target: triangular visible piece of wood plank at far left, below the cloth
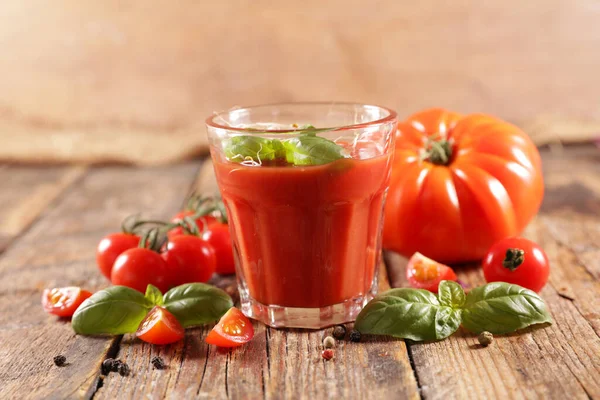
(25,194)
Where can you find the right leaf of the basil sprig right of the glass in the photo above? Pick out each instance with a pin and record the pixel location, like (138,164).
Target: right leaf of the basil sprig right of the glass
(500,307)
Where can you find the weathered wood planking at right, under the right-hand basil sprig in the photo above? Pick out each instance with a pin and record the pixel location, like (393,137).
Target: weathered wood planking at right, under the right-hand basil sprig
(560,361)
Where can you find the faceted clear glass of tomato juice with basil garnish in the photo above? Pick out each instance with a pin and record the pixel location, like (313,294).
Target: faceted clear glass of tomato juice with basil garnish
(304,186)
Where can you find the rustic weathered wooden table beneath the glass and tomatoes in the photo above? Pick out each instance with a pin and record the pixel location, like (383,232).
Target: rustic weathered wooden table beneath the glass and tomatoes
(51,219)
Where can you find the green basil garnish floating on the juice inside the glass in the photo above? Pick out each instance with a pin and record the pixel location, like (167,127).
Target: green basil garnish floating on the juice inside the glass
(305,149)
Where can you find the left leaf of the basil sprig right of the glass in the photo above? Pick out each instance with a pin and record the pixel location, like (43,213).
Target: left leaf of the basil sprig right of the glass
(409,314)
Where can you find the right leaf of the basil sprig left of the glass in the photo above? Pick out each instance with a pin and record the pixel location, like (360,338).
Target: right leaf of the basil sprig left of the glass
(197,303)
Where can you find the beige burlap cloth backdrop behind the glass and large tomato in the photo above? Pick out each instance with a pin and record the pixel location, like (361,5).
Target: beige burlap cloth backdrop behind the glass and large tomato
(133,81)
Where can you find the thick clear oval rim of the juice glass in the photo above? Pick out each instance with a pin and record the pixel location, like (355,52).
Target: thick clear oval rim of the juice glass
(210,121)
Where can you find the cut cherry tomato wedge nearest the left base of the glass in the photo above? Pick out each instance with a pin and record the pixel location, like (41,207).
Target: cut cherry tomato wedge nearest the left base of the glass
(233,330)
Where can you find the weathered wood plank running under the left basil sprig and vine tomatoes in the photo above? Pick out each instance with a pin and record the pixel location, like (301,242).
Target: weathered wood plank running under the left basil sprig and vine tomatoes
(58,250)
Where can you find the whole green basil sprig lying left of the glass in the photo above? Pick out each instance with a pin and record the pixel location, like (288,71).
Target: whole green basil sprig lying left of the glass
(118,309)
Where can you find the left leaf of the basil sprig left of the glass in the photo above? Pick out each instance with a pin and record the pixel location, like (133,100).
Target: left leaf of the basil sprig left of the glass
(116,310)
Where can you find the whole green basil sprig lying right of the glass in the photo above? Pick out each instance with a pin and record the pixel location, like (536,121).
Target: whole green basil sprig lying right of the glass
(418,314)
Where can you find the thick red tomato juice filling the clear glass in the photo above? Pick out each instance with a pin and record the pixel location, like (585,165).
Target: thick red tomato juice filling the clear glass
(306,236)
